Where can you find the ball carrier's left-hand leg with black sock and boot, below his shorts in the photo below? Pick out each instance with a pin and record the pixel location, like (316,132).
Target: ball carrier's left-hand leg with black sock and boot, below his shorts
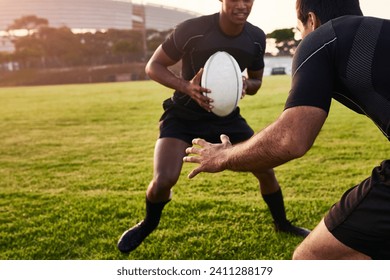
(168,161)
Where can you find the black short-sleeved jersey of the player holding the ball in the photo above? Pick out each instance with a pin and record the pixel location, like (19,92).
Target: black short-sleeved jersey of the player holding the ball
(195,40)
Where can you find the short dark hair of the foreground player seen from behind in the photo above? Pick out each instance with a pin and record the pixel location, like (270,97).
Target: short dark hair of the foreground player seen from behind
(326,10)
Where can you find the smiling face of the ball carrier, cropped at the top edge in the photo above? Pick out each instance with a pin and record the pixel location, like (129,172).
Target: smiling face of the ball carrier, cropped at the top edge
(237,11)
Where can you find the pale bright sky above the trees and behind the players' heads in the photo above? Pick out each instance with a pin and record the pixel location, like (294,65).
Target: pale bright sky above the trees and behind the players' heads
(271,14)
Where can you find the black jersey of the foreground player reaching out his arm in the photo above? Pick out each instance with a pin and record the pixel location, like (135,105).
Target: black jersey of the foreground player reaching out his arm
(347,59)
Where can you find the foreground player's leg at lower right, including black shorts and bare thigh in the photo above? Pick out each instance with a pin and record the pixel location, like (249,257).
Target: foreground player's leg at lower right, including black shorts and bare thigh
(357,226)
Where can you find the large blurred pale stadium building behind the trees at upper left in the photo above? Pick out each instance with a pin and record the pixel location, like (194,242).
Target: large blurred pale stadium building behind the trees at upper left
(91,15)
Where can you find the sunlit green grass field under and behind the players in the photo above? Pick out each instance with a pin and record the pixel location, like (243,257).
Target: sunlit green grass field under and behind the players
(75,162)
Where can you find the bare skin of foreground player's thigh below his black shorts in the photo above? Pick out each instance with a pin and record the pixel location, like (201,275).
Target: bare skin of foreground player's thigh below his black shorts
(322,245)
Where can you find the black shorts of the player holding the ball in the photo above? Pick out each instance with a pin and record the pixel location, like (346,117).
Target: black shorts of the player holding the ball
(175,125)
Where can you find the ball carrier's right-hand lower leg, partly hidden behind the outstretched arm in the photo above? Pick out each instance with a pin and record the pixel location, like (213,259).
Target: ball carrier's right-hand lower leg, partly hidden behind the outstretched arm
(272,195)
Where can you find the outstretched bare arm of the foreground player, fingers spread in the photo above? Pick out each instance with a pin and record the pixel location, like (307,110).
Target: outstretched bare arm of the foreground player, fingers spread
(289,137)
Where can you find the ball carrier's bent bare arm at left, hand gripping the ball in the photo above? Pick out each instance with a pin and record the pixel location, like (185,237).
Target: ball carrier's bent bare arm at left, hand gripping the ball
(157,69)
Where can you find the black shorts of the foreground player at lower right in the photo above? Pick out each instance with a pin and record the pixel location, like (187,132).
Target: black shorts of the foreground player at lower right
(361,219)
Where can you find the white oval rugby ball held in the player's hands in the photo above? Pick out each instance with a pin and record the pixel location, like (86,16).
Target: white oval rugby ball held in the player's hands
(222,75)
